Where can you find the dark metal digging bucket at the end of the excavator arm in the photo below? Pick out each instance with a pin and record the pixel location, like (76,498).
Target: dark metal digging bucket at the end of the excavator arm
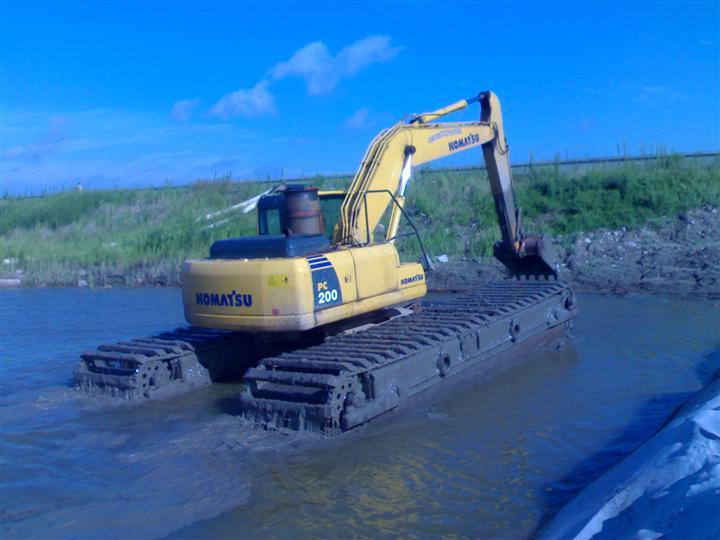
(535,258)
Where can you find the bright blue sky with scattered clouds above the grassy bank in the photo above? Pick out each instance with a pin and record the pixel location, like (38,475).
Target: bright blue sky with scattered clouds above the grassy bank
(139,93)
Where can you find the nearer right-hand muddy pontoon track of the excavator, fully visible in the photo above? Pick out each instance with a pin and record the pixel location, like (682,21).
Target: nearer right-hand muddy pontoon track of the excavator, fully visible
(354,377)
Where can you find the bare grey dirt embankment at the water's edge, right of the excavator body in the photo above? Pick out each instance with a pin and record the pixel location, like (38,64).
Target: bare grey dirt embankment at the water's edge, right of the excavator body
(677,256)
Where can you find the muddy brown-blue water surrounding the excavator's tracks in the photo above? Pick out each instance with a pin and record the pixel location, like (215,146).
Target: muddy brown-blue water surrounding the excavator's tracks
(489,458)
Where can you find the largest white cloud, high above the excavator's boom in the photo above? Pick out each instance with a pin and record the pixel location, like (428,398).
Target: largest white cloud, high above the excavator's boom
(322,71)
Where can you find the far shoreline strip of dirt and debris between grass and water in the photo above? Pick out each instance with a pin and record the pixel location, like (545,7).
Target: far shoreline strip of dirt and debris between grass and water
(671,256)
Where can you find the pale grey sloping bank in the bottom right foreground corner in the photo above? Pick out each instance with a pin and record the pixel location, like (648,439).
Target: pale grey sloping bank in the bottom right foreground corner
(667,486)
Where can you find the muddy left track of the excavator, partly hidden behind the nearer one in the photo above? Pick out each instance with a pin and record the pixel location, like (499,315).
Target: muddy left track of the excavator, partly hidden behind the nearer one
(189,357)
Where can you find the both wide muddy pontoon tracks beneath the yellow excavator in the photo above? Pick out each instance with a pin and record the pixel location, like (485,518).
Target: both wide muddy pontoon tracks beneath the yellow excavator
(335,383)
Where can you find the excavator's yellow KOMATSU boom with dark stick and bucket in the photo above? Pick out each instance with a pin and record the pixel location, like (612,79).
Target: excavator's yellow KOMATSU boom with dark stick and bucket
(387,166)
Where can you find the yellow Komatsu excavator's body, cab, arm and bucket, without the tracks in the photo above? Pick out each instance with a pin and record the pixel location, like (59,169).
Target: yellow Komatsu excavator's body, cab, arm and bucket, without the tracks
(296,275)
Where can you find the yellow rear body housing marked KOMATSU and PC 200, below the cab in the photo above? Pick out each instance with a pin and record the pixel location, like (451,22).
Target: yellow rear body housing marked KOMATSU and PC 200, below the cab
(297,293)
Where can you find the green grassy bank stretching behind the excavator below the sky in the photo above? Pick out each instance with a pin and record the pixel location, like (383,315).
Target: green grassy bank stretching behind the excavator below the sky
(144,235)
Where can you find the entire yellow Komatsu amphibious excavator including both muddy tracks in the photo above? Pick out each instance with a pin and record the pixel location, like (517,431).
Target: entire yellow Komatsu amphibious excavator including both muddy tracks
(317,314)
